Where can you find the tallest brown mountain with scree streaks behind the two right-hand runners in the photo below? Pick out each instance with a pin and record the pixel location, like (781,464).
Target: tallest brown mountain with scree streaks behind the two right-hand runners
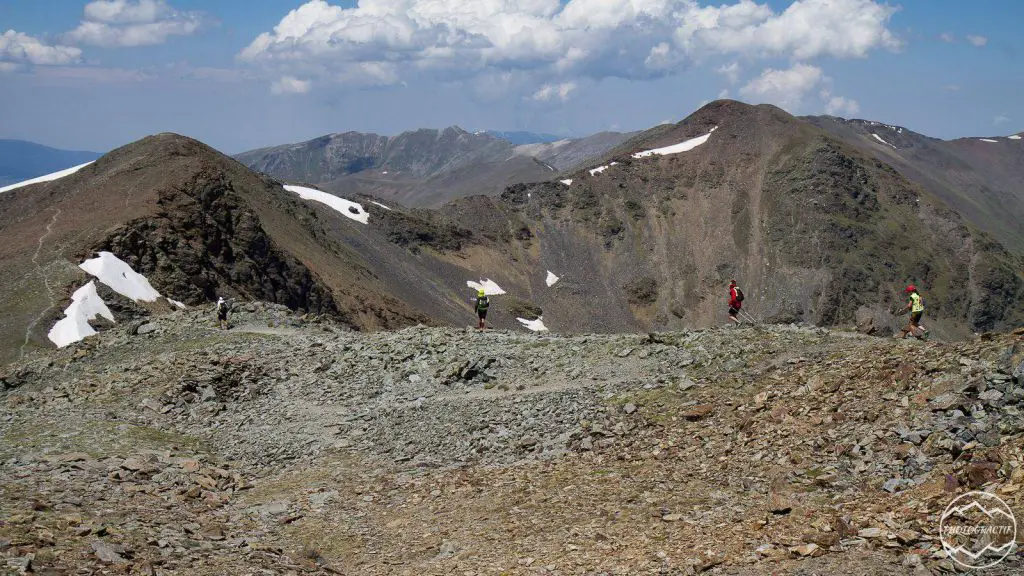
(815,229)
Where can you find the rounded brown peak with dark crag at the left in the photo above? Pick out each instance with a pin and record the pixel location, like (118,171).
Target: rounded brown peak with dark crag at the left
(196,223)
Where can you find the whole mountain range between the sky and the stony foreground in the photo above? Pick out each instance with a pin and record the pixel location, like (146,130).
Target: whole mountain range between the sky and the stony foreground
(818,224)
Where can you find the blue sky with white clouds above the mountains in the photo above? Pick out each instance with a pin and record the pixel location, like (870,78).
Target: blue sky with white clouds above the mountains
(241,74)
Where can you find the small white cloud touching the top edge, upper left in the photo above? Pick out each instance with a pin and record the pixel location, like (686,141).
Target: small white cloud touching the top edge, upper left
(134,23)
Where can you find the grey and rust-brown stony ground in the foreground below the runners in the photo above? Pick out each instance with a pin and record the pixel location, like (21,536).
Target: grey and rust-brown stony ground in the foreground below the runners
(293,446)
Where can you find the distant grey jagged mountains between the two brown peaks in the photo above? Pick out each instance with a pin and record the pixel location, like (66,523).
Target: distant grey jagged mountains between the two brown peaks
(422,169)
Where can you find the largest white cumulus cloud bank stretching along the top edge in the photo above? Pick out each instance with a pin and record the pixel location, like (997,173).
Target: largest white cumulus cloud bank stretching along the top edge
(558,42)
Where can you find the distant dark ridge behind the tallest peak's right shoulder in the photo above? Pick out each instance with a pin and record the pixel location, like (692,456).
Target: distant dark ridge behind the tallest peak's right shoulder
(980,178)
